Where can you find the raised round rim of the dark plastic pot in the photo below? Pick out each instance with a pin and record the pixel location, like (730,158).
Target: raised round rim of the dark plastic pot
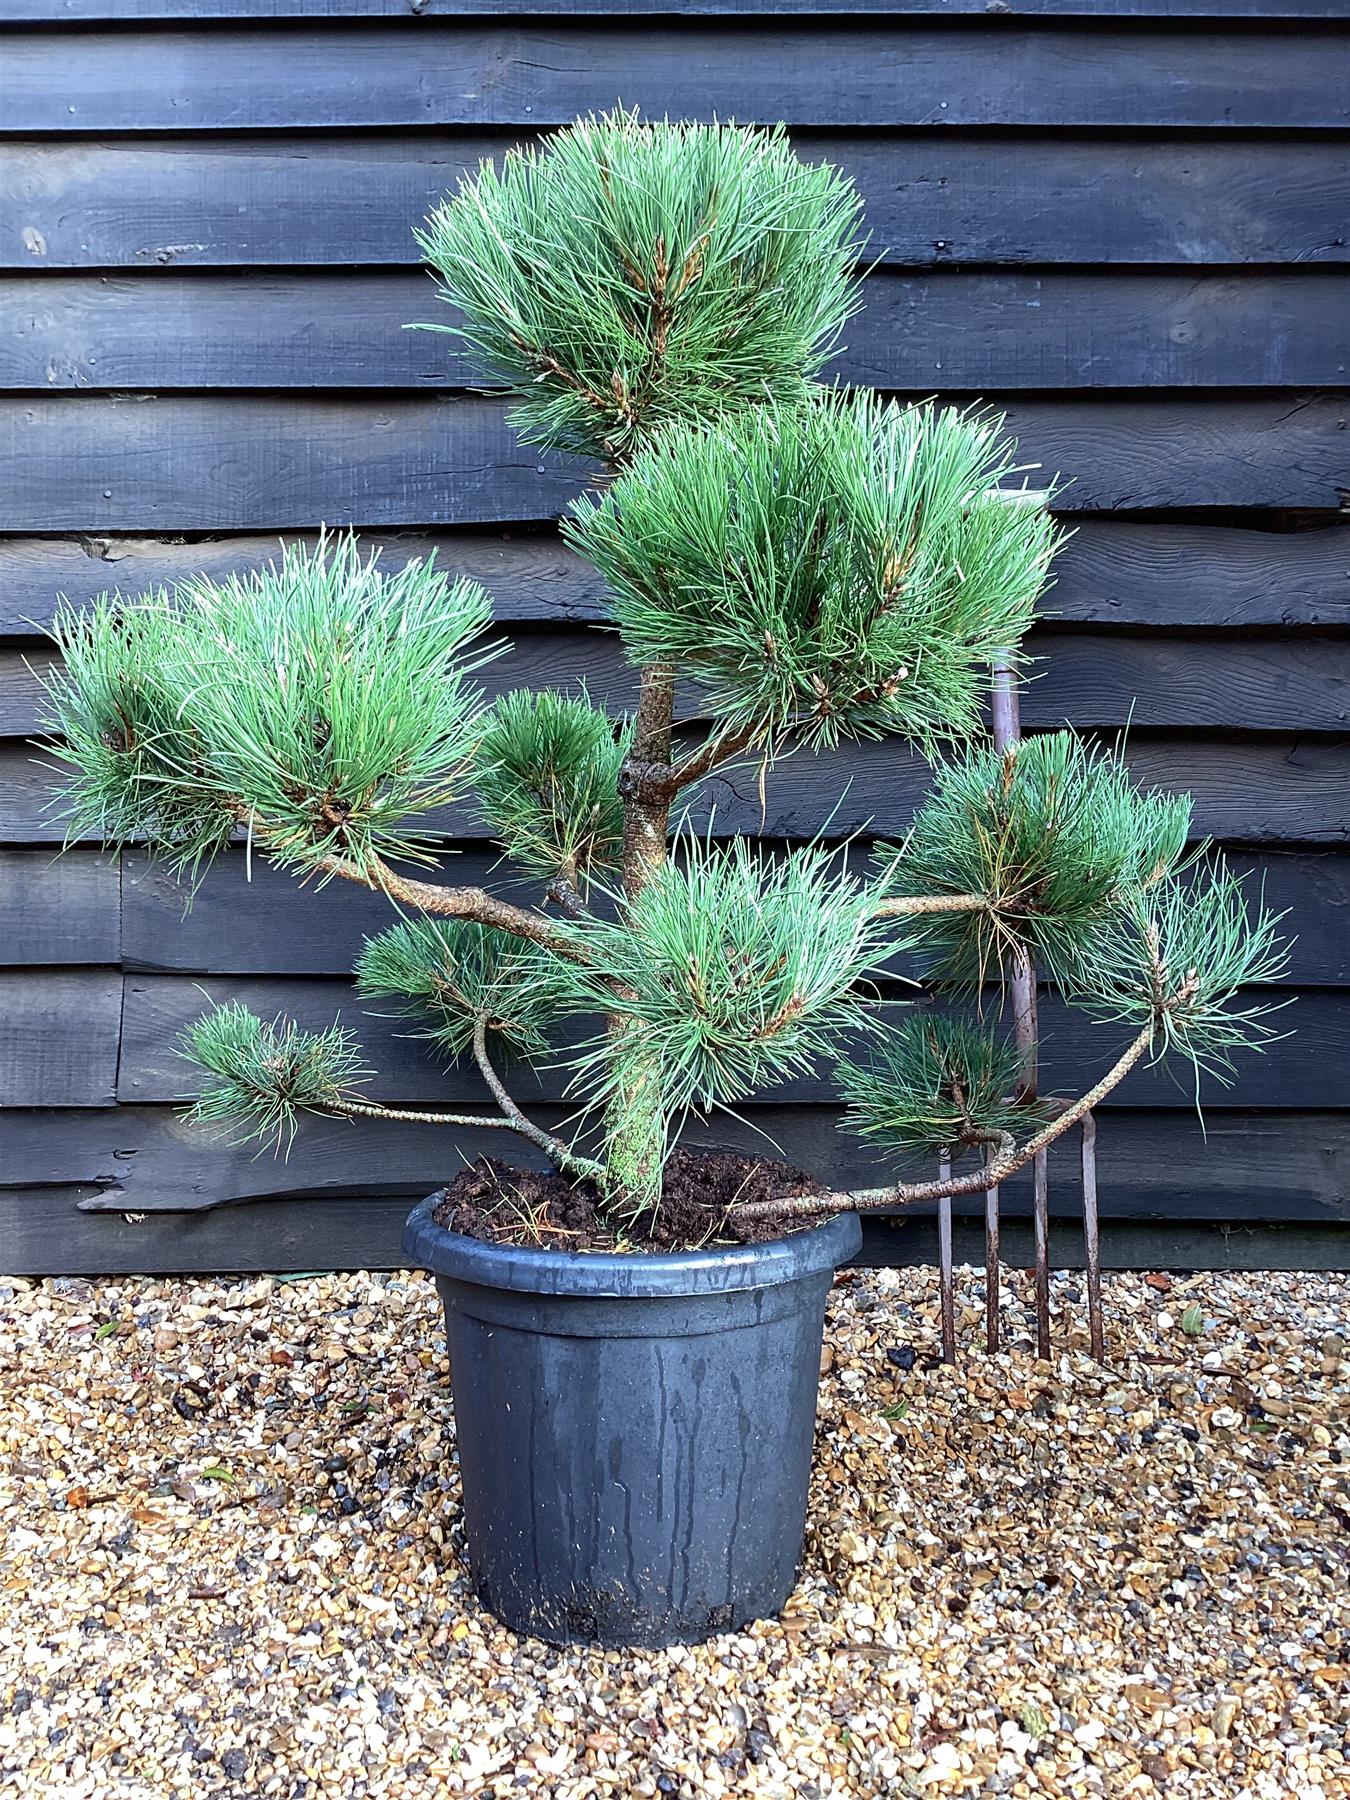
(593,1275)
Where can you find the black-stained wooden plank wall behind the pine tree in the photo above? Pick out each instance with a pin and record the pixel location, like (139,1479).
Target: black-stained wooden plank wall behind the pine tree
(1122,222)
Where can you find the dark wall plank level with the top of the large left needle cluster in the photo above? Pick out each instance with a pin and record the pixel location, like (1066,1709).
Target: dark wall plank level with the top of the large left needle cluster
(1124,573)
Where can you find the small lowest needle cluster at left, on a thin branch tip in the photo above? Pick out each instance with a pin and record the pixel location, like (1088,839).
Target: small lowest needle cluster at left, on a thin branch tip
(258,1079)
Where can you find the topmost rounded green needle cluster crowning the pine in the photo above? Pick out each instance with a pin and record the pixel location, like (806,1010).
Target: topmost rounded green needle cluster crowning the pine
(629,276)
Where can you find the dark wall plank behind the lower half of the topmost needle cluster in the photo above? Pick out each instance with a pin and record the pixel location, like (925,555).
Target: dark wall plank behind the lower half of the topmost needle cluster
(1052,330)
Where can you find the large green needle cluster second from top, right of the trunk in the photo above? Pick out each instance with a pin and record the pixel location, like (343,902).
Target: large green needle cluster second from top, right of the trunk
(829,570)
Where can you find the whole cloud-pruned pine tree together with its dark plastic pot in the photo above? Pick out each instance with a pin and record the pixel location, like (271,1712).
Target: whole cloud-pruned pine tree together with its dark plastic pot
(636,1331)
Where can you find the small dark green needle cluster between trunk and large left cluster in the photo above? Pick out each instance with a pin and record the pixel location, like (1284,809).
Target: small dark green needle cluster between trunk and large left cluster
(550,784)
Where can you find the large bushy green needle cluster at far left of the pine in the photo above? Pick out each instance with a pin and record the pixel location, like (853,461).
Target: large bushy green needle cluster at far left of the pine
(321,703)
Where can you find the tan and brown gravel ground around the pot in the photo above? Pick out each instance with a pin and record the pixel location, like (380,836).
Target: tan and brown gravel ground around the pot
(231,1561)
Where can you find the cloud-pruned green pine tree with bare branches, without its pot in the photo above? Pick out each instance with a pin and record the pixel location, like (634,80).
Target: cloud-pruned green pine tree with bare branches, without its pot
(795,568)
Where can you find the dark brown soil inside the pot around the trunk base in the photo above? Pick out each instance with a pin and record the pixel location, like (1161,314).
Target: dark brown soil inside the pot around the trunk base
(503,1205)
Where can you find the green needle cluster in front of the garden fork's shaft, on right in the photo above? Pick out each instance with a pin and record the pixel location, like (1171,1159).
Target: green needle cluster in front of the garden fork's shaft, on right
(1054,834)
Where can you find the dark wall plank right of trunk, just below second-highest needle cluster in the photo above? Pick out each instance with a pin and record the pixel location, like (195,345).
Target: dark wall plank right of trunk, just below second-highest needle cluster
(1254,791)
